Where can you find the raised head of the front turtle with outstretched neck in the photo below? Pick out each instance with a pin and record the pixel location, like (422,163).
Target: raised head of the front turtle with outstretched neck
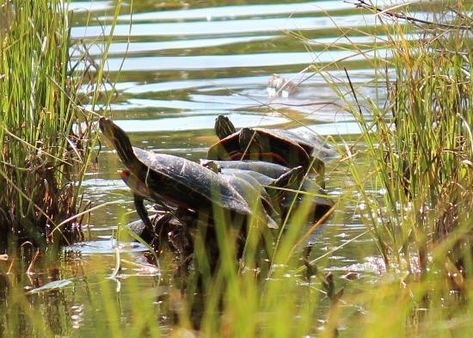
(117,139)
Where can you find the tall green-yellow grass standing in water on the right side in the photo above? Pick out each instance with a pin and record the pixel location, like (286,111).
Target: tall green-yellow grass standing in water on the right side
(421,144)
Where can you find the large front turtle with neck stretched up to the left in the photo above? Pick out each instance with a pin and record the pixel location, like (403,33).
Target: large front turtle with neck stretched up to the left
(173,181)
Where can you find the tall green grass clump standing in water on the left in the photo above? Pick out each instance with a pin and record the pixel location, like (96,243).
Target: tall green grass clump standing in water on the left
(43,157)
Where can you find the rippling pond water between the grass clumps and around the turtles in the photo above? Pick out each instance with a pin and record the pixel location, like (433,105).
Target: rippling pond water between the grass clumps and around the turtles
(176,66)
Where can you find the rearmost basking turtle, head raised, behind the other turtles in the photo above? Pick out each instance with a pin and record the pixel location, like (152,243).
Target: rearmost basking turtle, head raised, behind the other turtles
(277,146)
